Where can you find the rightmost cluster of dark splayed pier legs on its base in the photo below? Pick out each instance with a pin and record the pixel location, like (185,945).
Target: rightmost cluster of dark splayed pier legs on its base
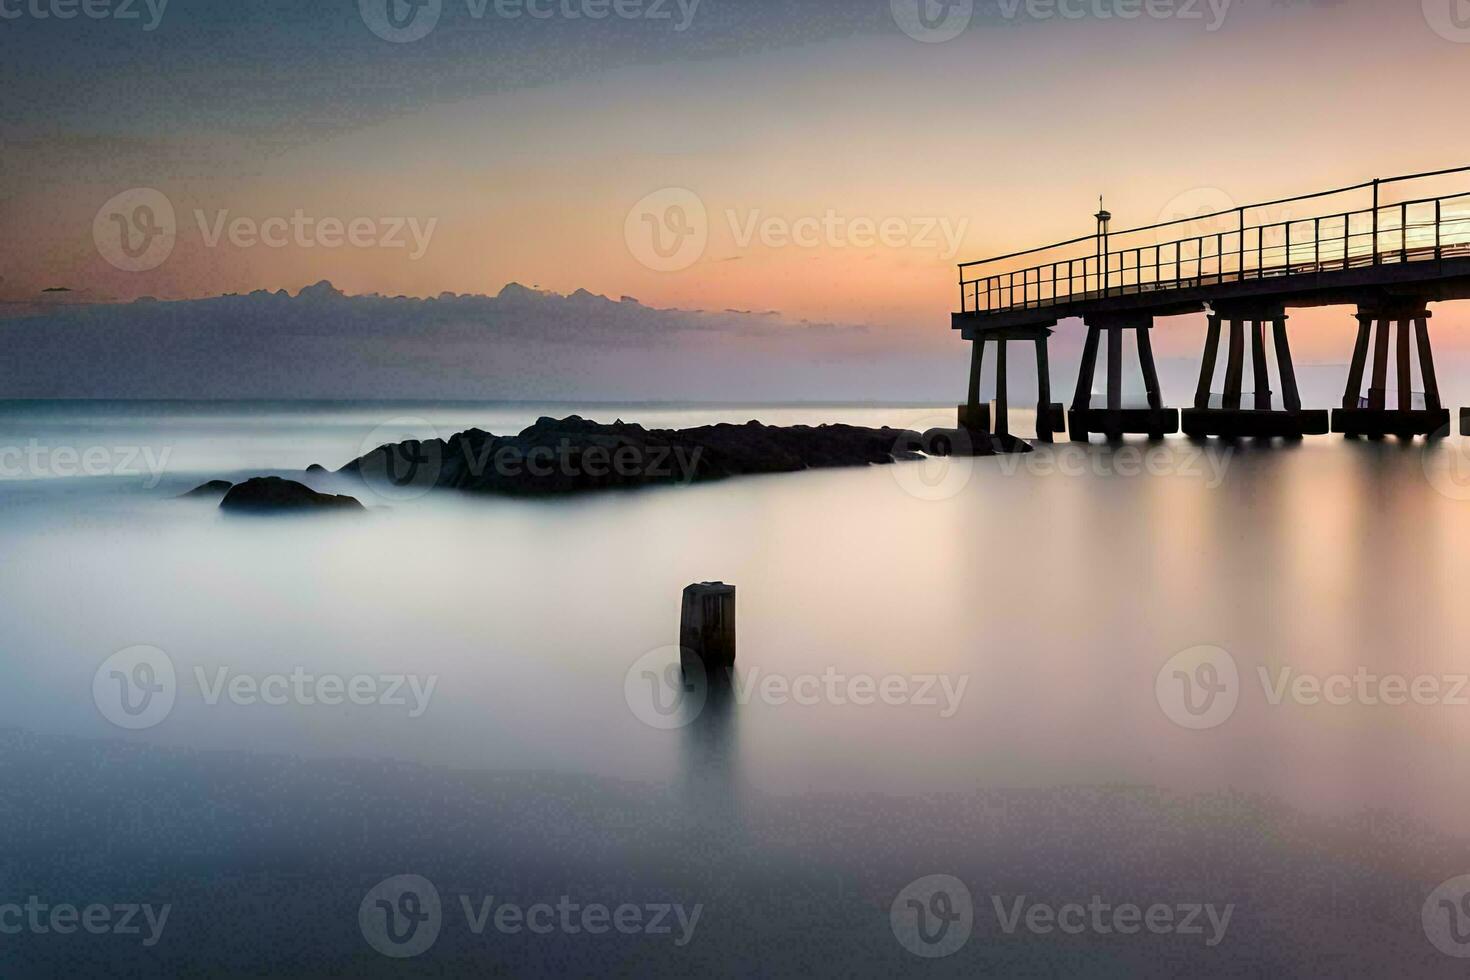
(1413,414)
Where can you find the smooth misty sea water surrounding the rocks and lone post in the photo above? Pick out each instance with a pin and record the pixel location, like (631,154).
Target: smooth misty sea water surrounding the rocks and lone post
(1055,590)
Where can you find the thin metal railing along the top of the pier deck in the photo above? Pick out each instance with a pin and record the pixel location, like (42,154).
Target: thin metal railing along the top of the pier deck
(1233,251)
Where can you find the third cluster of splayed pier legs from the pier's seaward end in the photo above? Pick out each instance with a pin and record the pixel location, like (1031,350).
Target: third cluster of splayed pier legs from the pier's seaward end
(1227,415)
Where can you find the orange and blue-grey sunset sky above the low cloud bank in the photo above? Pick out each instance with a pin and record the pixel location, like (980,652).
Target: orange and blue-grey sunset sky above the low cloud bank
(820,162)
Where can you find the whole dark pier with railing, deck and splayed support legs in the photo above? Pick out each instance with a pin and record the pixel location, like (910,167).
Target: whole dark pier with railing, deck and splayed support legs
(1390,259)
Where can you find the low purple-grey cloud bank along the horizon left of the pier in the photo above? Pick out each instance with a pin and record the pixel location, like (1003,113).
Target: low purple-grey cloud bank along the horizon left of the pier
(521,345)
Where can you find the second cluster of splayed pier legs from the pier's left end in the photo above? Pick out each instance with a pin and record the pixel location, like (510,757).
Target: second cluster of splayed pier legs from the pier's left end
(1114,418)
